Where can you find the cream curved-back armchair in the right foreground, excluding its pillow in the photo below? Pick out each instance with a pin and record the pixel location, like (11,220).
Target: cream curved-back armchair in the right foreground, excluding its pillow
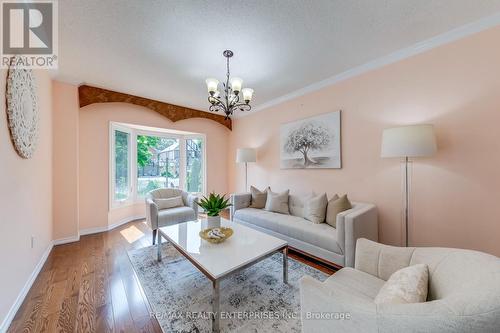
(464,293)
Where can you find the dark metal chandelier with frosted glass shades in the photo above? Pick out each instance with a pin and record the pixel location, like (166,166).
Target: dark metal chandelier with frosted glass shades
(231,92)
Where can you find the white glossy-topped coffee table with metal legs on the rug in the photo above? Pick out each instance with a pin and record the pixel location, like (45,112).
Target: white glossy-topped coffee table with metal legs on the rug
(217,261)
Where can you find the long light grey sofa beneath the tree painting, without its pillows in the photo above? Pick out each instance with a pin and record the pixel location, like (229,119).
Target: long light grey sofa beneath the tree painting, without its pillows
(335,245)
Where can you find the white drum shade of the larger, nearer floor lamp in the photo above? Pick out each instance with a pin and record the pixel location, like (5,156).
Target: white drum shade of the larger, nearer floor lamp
(409,141)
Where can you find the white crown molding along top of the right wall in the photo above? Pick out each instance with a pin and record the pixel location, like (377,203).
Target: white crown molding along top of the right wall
(420,47)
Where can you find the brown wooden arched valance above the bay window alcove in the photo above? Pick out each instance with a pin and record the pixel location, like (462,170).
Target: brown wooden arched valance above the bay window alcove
(89,95)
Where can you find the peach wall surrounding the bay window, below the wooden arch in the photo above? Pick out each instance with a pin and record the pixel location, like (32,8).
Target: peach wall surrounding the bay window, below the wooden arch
(94,156)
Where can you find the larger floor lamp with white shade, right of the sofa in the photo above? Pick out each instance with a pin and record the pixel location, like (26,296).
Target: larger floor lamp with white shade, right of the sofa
(407,142)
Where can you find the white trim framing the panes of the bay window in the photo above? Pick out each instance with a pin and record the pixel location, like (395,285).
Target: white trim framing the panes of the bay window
(134,197)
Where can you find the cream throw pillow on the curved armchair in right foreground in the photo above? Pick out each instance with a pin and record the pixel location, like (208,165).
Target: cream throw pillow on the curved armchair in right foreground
(408,285)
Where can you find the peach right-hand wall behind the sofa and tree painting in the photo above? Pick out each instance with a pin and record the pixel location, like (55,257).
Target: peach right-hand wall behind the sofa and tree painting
(455,194)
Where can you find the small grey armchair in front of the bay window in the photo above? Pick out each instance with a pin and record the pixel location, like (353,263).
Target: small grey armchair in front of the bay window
(157,218)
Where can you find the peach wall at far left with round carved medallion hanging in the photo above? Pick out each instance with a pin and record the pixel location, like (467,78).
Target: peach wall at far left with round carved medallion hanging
(25,198)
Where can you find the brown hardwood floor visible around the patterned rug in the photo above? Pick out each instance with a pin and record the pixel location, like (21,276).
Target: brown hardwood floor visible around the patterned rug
(90,286)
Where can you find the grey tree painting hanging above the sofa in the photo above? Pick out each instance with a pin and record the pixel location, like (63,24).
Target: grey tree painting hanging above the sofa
(311,143)
